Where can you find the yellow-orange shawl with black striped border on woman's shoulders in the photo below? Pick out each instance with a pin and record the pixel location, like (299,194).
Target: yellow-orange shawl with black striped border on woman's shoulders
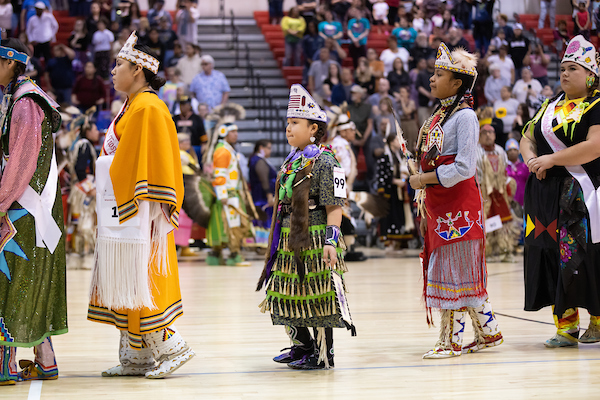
(147,163)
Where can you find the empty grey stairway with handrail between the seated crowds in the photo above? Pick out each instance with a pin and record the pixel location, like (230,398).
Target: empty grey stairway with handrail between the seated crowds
(261,122)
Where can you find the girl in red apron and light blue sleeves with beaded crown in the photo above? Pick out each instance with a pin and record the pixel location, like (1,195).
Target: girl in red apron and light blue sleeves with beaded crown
(454,269)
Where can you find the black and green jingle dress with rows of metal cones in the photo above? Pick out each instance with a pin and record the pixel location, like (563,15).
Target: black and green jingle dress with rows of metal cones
(307,297)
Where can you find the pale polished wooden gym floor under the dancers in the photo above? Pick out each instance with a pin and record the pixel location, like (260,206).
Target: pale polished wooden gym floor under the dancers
(234,344)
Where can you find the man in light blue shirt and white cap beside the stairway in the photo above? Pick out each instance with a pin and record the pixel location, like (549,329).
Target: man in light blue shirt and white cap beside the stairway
(210,86)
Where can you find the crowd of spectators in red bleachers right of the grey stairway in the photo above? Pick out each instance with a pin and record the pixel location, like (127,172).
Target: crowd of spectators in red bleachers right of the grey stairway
(513,68)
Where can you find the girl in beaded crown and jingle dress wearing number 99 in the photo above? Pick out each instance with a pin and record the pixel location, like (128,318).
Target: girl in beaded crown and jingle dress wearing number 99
(304,267)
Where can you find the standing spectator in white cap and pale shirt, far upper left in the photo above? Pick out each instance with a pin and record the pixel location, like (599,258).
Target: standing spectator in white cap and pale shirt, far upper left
(41,30)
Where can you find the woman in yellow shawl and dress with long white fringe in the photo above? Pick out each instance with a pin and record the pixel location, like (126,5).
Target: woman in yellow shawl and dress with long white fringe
(135,282)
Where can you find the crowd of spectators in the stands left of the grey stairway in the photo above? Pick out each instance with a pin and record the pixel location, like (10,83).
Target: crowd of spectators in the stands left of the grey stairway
(77,73)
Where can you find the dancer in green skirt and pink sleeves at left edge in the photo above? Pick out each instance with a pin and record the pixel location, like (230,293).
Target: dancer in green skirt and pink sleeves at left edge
(33,303)
